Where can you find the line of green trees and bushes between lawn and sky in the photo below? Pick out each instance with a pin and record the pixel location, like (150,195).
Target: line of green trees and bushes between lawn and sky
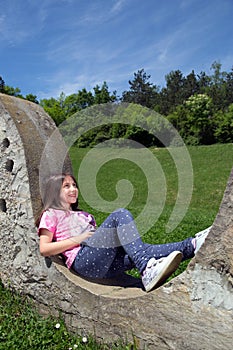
(199,106)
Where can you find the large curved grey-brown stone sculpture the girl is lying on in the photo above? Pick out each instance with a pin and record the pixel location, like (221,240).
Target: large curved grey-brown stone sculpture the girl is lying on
(193,311)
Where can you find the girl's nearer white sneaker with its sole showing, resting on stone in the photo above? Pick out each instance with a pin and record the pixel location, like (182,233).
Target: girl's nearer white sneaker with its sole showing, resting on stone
(157,271)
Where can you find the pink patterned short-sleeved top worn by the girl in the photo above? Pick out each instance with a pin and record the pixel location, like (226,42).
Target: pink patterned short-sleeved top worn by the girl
(65,224)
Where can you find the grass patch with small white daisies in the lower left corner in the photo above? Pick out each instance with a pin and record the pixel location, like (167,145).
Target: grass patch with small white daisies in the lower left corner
(21,328)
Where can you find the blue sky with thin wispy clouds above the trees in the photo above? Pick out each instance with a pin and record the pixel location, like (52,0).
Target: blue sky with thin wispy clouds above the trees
(53,46)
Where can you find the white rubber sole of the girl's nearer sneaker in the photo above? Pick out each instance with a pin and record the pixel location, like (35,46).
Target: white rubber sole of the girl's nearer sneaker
(173,263)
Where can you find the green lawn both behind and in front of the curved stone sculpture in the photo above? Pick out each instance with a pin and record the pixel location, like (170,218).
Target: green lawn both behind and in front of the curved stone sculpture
(20,326)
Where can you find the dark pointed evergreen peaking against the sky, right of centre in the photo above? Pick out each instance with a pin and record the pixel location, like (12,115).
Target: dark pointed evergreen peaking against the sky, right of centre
(142,91)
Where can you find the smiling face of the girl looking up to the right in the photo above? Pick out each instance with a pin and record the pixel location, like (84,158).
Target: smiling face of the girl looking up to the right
(68,193)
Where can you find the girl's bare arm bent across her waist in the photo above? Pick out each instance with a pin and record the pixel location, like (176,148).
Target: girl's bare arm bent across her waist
(49,248)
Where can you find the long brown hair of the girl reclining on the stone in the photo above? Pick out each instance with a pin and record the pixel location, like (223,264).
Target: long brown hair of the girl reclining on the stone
(51,194)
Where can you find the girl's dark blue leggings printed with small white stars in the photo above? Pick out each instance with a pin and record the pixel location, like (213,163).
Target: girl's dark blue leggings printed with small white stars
(116,247)
